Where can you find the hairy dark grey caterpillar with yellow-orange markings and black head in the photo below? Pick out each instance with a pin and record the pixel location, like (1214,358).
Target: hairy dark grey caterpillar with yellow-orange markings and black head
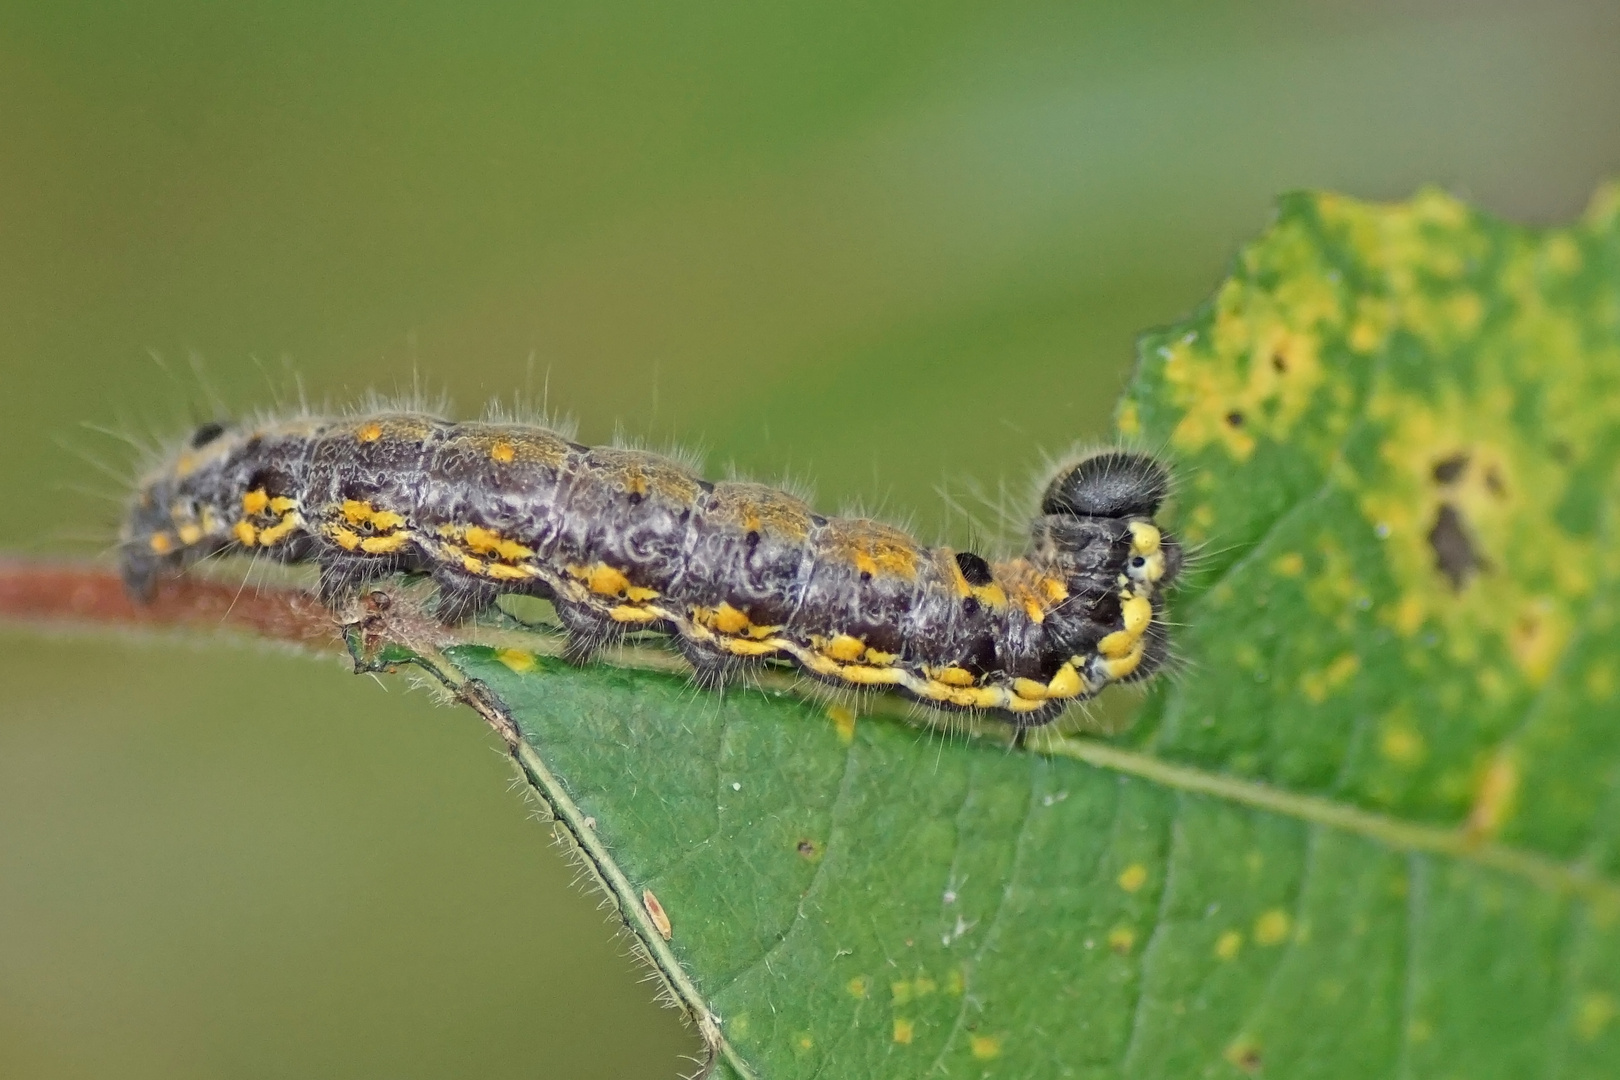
(735,572)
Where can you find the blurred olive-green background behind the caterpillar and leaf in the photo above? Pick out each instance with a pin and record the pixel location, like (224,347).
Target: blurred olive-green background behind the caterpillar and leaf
(879,247)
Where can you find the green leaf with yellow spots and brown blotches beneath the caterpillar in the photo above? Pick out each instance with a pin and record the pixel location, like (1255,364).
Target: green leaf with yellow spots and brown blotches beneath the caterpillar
(1371,828)
